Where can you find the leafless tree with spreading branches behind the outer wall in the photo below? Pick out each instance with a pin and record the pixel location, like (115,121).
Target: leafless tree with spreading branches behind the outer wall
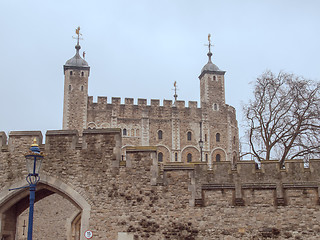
(283,119)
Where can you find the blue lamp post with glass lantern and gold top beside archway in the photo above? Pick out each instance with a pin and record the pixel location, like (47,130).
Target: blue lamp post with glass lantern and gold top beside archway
(34,159)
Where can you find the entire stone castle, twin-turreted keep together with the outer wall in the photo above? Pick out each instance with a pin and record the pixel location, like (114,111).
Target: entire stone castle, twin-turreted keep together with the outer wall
(152,171)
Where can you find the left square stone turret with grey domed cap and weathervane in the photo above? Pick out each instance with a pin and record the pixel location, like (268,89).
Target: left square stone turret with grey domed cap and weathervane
(76,74)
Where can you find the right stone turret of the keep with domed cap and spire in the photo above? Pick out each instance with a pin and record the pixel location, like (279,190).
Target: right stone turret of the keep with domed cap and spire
(212,93)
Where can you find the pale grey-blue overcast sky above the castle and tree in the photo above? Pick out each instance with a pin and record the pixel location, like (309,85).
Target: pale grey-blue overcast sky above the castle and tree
(139,48)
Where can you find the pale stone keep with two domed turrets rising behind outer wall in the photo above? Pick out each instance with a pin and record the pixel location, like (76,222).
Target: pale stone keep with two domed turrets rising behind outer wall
(208,133)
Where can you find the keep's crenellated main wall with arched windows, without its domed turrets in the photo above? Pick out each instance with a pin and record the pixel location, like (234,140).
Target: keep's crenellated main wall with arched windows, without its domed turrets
(142,123)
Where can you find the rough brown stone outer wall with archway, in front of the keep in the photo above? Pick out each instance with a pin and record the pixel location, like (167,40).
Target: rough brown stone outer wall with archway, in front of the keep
(144,200)
